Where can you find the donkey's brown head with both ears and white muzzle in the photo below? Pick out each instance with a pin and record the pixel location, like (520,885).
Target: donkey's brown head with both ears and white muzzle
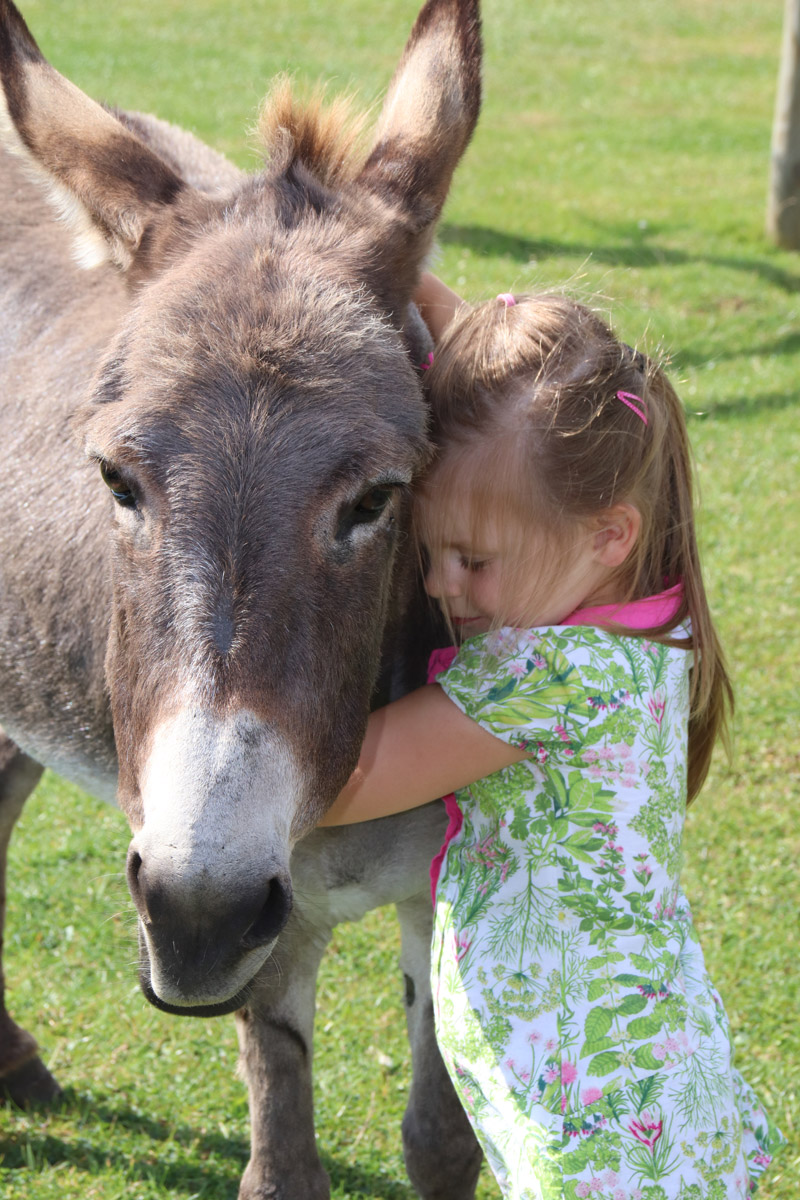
(257,422)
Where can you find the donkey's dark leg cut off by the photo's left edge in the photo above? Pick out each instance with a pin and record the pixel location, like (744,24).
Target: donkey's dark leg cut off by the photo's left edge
(25,1078)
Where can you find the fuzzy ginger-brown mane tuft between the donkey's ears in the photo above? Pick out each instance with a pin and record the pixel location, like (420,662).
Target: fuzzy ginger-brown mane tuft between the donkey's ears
(322,134)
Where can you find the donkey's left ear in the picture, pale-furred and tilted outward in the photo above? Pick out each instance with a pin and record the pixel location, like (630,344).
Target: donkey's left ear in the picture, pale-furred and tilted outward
(105,182)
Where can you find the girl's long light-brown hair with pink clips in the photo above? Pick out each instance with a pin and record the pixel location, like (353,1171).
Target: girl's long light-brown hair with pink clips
(528,395)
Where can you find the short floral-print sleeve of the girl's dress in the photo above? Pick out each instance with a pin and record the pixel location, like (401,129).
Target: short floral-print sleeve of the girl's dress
(525,687)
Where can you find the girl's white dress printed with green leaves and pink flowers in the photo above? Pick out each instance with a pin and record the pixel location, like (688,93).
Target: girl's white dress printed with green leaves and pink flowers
(584,1035)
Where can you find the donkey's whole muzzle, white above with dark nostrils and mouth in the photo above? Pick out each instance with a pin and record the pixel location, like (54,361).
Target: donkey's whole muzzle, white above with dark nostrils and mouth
(209,866)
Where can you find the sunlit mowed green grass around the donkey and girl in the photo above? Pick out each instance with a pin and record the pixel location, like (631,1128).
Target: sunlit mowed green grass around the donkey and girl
(623,153)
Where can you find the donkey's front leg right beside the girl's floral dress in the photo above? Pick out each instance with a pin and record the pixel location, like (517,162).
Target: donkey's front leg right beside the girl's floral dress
(443,1157)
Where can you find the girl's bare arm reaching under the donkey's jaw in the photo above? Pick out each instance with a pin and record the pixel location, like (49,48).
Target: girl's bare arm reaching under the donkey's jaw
(416,751)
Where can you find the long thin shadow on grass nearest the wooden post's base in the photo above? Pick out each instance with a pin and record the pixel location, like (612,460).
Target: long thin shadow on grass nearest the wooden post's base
(634,248)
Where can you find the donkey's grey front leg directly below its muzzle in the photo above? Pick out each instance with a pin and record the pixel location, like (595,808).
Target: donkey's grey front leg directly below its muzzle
(276,1040)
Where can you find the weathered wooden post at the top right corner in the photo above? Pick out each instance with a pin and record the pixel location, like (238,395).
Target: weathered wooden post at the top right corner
(784,202)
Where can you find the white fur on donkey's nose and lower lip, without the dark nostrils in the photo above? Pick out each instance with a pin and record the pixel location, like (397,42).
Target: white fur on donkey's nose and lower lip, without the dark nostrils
(220,795)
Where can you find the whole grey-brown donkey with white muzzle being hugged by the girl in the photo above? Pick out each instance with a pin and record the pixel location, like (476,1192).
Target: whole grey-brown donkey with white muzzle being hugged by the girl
(202,638)
